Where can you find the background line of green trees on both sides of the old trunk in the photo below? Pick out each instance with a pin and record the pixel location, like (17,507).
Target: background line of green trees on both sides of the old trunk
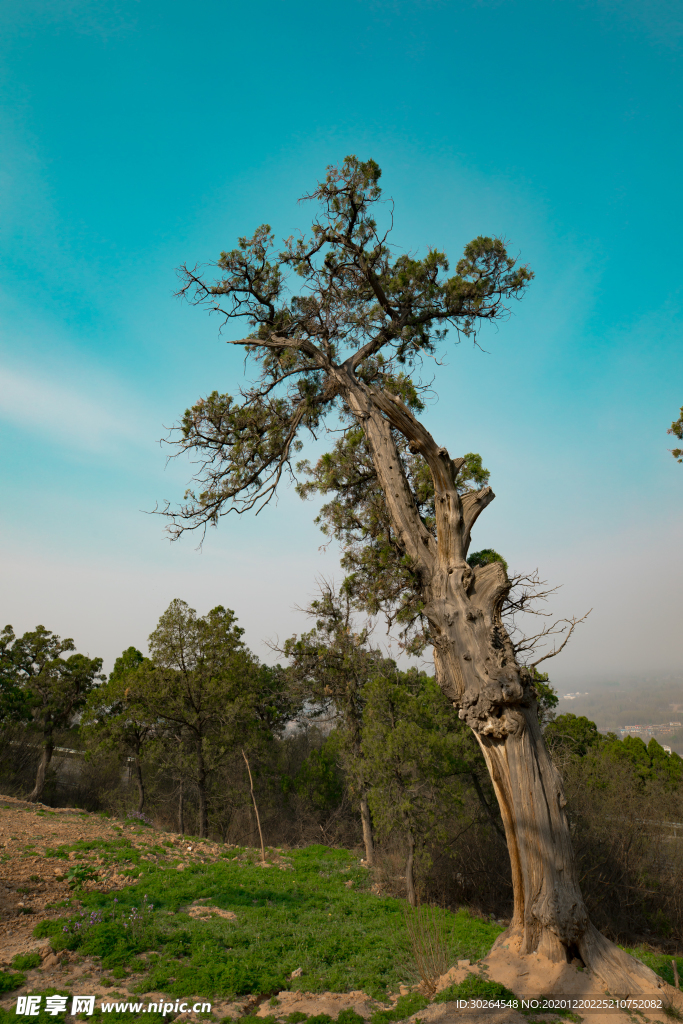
(346,748)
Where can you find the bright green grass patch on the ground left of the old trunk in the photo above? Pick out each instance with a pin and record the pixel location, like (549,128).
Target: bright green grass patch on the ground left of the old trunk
(343,938)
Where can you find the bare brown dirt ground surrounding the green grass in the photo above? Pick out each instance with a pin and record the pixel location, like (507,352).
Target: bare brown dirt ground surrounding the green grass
(30,882)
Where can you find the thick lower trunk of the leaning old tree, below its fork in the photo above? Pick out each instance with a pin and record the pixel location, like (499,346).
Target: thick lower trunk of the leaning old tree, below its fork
(477,668)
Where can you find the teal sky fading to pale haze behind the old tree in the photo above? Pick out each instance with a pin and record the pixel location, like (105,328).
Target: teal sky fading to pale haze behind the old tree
(139,136)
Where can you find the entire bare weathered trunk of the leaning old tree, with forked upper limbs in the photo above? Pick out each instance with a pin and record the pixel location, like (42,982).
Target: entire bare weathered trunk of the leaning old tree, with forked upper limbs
(478,670)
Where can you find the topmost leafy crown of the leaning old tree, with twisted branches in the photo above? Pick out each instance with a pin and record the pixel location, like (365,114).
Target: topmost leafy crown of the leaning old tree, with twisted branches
(360,305)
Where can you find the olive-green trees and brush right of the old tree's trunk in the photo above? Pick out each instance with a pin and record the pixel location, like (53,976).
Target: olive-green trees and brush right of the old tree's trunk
(625,801)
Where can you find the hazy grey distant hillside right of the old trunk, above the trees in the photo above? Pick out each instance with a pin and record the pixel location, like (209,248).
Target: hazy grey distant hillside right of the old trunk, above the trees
(630,702)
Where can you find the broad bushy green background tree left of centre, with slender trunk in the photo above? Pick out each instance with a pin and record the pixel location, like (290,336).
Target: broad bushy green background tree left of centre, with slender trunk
(195,704)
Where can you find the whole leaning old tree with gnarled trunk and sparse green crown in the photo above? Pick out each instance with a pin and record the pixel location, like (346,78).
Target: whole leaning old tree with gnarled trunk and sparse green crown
(338,349)
